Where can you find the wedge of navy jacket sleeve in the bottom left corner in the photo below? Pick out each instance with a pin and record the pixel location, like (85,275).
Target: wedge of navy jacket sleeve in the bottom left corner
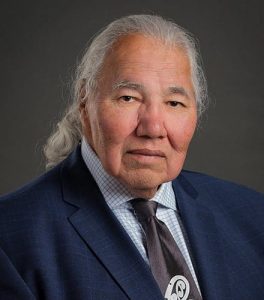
(12,285)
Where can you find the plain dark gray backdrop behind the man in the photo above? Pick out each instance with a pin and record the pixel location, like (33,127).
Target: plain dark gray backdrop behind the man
(40,43)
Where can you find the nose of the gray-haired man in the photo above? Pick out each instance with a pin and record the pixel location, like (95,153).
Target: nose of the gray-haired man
(151,122)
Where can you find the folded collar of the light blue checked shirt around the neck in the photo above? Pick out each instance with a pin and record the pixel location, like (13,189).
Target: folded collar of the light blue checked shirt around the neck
(114,192)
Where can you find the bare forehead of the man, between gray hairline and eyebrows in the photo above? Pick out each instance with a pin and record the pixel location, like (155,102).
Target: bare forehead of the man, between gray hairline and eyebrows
(139,58)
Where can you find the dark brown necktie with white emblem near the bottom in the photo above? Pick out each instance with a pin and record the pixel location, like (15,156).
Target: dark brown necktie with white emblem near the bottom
(166,260)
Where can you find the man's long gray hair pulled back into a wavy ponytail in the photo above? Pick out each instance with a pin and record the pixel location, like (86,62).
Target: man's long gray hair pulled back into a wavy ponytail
(68,131)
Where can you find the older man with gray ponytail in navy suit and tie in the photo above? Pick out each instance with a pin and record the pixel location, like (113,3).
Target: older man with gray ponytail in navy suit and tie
(77,232)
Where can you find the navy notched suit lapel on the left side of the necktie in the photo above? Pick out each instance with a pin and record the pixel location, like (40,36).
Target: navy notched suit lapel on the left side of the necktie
(99,228)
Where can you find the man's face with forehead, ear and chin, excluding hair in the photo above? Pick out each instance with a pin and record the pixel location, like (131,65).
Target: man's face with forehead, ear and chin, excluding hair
(142,119)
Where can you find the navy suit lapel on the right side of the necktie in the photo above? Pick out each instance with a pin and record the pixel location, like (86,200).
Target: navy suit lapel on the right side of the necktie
(206,241)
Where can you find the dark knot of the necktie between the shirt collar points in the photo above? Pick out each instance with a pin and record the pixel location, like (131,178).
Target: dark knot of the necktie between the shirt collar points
(144,208)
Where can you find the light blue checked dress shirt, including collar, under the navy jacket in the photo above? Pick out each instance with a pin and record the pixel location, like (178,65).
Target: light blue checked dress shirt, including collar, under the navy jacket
(117,197)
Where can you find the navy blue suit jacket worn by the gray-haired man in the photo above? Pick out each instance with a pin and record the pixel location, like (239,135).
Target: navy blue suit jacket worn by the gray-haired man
(59,240)
